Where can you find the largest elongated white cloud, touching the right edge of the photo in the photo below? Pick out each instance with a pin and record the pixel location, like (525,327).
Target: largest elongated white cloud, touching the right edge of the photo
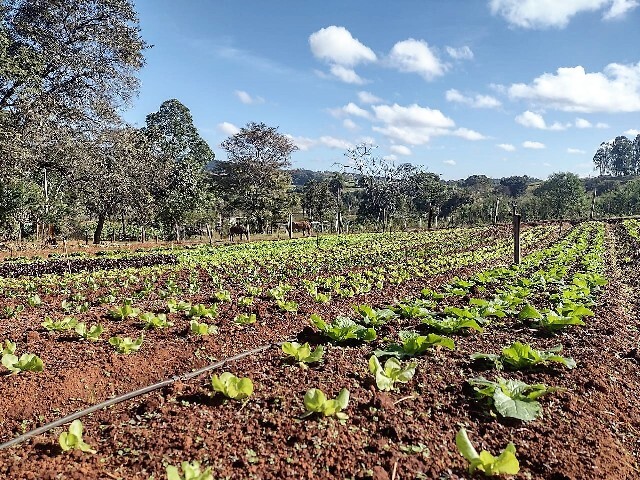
(571,89)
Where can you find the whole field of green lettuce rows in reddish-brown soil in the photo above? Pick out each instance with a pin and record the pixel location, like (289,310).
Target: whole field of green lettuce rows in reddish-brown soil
(413,340)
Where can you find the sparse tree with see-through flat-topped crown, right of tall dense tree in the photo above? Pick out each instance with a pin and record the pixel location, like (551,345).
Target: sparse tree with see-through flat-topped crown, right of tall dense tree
(252,177)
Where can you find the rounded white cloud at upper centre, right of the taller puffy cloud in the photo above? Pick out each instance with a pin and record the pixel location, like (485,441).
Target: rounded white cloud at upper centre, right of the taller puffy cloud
(415,56)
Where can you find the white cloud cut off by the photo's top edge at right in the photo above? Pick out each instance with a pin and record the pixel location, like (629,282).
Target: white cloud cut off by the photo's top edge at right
(556,13)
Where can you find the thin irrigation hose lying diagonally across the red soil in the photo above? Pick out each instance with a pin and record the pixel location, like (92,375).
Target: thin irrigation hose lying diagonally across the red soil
(130,395)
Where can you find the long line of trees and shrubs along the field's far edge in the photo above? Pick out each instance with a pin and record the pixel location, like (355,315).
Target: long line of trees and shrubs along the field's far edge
(71,167)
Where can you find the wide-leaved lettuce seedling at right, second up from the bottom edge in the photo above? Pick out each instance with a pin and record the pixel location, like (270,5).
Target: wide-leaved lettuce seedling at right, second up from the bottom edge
(512,398)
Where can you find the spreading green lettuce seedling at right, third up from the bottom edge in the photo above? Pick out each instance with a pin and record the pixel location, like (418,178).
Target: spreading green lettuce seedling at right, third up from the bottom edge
(521,356)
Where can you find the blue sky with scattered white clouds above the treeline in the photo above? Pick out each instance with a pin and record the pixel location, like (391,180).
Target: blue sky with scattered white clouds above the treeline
(460,87)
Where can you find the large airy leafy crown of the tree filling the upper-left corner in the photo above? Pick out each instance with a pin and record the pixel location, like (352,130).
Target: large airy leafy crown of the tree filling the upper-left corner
(63,64)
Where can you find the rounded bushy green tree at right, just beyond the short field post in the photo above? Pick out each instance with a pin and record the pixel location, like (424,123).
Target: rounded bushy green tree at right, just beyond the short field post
(562,195)
